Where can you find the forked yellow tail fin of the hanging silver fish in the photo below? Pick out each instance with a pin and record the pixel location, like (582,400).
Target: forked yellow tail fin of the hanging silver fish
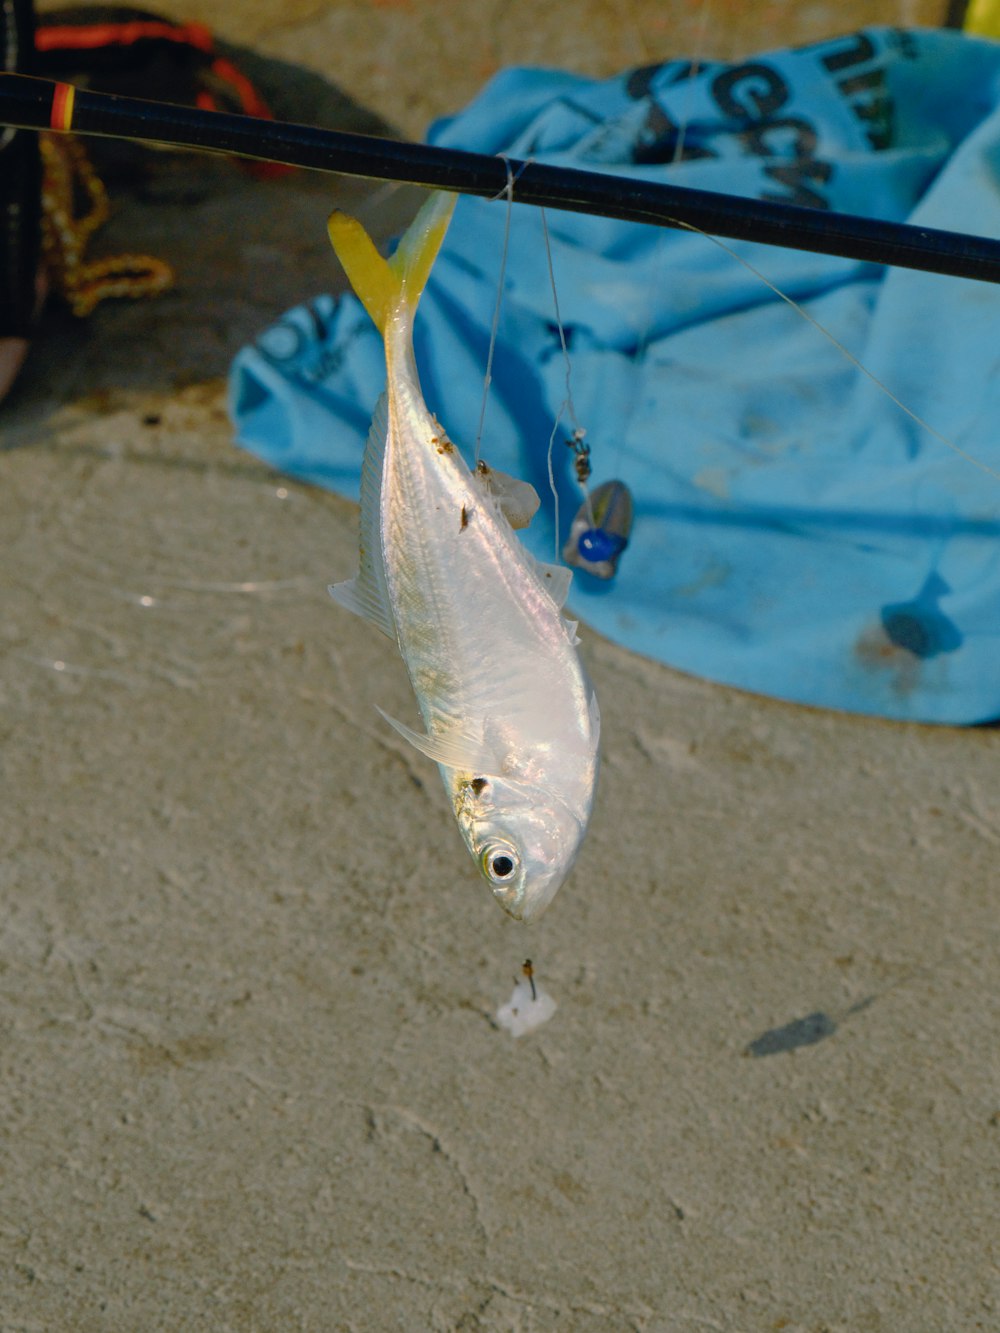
(386,286)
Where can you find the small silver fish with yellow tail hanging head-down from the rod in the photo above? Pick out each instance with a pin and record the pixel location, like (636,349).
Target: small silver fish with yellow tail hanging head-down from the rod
(511,718)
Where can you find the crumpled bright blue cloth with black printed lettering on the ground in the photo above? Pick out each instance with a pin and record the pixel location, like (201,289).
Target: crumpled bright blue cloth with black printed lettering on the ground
(795,533)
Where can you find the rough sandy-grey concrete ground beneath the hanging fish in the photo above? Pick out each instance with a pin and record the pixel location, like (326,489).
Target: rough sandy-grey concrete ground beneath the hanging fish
(250,1071)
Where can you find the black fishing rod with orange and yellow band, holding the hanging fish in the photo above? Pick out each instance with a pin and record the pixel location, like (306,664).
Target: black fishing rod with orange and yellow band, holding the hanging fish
(31,103)
